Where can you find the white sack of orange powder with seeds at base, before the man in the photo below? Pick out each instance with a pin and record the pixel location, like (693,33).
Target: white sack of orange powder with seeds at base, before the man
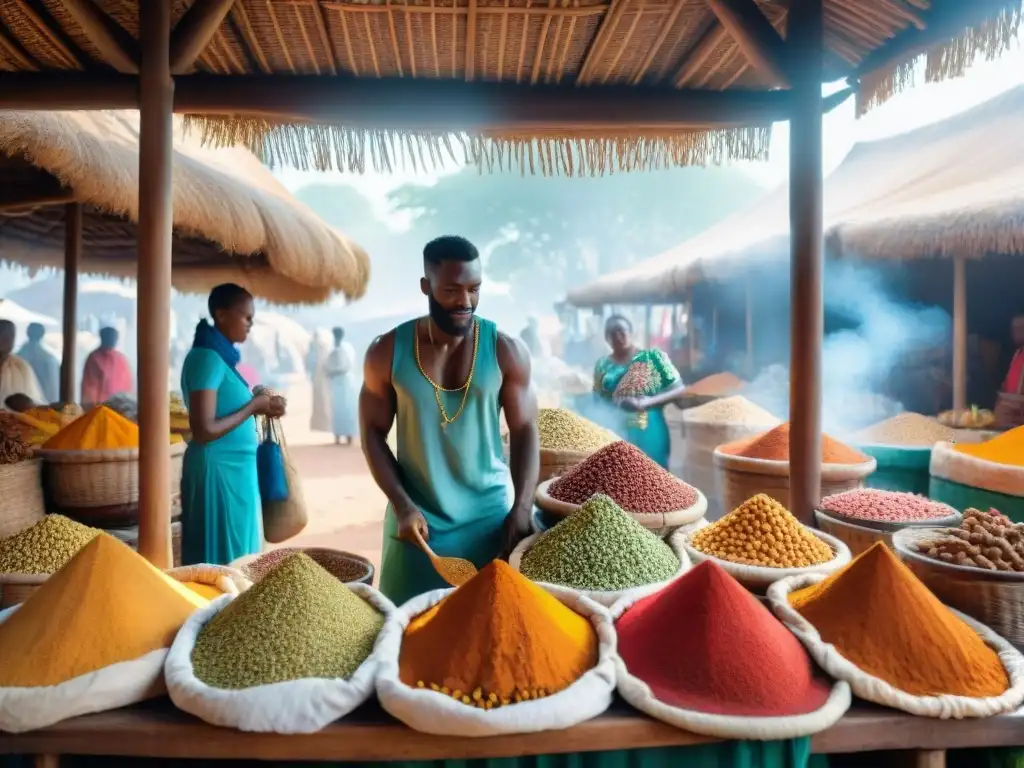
(498,656)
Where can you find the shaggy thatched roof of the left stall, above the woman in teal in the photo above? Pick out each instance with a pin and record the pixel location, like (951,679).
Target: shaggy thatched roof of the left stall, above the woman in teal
(234,222)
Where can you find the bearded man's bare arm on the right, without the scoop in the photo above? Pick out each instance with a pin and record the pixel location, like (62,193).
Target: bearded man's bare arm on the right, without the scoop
(520,403)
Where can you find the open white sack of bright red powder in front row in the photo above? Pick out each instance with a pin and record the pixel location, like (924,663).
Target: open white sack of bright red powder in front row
(704,655)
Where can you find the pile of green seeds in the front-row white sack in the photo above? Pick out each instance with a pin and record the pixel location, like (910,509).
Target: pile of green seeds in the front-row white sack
(300,622)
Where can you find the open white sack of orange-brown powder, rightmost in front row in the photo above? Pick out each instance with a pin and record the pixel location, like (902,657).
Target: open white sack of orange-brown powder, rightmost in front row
(877,626)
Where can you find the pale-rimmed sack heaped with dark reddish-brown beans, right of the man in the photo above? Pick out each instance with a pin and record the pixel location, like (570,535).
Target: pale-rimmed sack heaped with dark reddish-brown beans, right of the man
(657,499)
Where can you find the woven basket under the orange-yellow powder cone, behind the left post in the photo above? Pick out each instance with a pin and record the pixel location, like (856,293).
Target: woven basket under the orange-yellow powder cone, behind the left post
(79,480)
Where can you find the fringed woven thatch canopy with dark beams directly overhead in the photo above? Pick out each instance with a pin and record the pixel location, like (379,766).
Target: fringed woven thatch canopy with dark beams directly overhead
(353,83)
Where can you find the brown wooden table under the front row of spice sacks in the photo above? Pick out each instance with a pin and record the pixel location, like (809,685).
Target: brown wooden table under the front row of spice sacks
(158,731)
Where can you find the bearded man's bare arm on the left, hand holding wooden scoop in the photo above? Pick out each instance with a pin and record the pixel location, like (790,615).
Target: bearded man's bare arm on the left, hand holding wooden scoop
(377,411)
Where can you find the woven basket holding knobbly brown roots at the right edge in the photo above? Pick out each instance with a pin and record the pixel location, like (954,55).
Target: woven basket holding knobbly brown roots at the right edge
(995,599)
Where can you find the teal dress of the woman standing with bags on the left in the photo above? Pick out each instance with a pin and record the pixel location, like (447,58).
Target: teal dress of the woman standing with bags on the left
(221,502)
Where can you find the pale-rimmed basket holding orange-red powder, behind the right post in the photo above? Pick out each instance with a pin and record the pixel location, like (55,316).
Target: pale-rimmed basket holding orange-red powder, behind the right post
(743,479)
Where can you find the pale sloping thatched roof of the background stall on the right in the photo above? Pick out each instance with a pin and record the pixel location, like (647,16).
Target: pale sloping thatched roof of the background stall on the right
(956,188)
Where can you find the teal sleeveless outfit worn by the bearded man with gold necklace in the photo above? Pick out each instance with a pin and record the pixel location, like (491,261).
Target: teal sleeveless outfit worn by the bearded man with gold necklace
(455,476)
